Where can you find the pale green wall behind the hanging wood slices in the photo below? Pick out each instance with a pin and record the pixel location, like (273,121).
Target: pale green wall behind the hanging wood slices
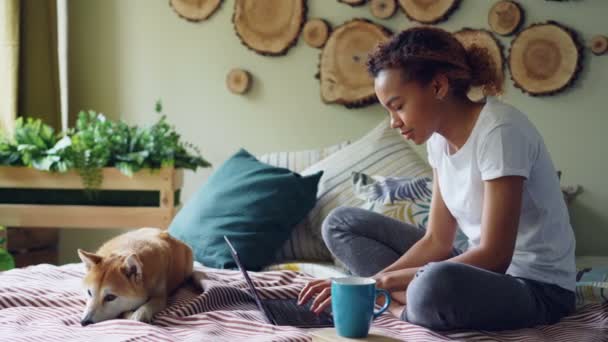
(126,54)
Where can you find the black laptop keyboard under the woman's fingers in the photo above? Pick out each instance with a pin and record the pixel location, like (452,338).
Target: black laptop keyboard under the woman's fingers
(288,312)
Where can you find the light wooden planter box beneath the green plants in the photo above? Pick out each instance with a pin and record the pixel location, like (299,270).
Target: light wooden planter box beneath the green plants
(31,198)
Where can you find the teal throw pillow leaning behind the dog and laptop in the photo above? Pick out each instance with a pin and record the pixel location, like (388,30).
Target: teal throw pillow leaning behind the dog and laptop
(256,205)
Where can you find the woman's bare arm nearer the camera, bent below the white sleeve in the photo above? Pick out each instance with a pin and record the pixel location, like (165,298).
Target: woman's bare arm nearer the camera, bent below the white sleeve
(499,223)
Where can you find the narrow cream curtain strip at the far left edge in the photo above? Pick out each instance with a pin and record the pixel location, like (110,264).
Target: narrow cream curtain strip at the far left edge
(9,63)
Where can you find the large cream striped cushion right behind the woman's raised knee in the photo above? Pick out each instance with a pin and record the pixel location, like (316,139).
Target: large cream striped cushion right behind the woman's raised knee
(382,151)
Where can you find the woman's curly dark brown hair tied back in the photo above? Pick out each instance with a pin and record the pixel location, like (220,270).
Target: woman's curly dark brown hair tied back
(424,52)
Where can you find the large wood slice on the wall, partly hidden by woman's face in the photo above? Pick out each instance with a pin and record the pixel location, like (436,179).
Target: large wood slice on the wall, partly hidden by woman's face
(342,71)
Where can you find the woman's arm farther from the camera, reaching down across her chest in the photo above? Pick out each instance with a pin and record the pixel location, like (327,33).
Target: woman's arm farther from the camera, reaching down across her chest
(436,245)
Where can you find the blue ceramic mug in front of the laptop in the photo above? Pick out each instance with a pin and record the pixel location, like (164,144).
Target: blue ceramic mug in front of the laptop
(352,303)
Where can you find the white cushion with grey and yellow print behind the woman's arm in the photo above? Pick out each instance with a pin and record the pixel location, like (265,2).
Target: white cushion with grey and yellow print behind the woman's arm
(406,199)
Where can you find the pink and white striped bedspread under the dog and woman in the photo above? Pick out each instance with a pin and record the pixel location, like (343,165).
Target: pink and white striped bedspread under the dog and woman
(44,303)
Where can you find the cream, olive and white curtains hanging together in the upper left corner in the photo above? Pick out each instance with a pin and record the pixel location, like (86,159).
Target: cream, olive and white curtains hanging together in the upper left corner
(33,61)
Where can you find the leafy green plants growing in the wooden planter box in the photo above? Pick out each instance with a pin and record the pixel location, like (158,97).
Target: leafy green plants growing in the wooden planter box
(95,143)
